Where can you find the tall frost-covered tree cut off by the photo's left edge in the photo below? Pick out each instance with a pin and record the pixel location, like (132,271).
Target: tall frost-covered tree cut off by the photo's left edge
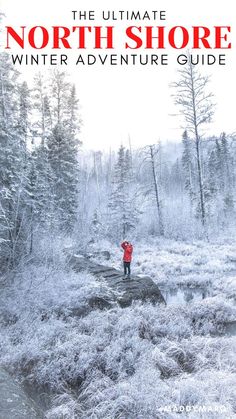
(12,164)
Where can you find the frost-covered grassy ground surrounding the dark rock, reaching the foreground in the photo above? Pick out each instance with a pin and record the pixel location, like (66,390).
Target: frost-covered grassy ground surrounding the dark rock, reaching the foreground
(140,362)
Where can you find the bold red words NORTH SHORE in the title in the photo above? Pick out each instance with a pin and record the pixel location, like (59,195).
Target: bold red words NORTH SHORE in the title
(105,37)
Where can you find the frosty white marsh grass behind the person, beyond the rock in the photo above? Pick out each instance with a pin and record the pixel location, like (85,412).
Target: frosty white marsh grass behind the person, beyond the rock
(173,263)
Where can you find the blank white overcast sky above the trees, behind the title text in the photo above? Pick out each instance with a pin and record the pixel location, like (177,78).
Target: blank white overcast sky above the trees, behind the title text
(135,101)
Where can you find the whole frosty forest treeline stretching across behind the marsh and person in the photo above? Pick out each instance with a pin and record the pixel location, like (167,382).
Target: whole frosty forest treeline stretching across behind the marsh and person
(50,185)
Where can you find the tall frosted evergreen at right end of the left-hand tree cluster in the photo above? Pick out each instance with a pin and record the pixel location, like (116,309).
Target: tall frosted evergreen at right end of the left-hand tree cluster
(63,147)
